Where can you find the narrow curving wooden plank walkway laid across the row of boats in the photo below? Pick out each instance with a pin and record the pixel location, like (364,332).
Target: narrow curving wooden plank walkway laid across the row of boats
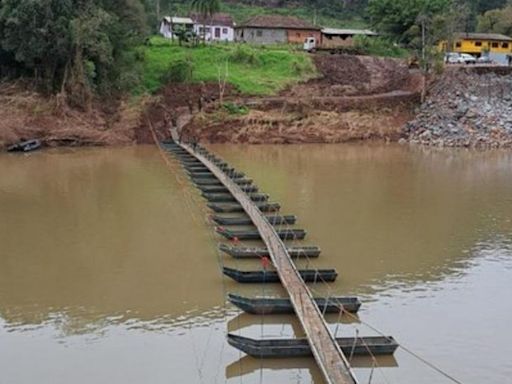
(328,355)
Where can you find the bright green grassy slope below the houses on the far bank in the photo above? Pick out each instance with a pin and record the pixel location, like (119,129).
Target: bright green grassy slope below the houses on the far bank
(252,70)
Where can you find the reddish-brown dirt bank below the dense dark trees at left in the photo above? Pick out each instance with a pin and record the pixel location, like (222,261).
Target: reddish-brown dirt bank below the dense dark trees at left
(26,114)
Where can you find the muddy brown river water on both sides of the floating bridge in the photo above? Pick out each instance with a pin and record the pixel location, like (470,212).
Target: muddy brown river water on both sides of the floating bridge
(109,270)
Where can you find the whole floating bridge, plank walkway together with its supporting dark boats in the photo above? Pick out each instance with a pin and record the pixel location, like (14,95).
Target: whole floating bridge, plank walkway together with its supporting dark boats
(228,190)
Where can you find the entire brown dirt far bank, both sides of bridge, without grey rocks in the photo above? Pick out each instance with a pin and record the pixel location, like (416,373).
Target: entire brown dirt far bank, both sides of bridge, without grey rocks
(355,98)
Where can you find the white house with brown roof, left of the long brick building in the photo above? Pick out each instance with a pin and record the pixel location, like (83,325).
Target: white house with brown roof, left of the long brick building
(219,27)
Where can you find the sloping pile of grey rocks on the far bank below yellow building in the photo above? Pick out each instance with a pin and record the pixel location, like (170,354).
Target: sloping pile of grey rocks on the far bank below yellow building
(469,107)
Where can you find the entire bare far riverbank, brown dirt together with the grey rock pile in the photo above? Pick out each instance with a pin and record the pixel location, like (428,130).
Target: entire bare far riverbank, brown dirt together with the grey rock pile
(351,98)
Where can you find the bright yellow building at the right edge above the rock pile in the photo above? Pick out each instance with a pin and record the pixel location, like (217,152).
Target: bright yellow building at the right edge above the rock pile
(479,43)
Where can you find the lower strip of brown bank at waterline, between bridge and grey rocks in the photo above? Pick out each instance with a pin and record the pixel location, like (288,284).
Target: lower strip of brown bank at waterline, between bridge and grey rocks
(276,127)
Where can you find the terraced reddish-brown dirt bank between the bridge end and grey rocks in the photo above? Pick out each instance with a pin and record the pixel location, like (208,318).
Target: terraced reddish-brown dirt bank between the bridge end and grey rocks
(356,98)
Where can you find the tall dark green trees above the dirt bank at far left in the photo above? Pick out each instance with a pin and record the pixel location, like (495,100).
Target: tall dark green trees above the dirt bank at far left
(73,46)
